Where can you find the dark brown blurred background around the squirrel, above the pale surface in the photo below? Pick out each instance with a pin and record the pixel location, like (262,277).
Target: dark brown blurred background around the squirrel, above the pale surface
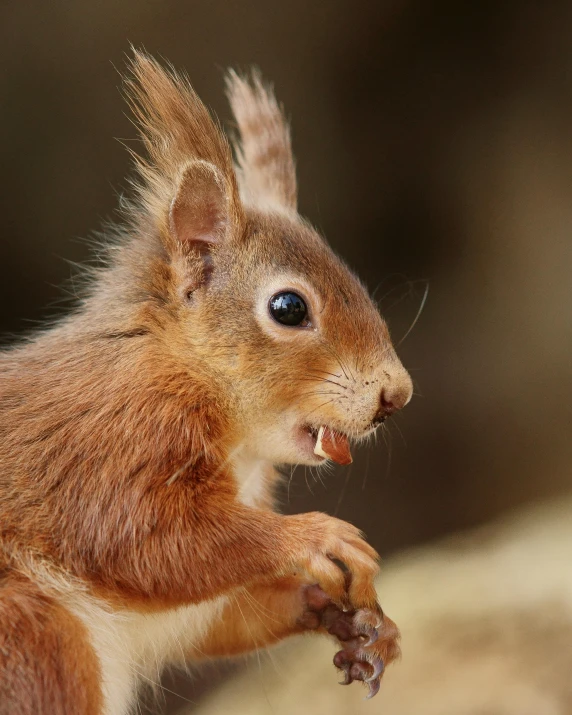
(434,146)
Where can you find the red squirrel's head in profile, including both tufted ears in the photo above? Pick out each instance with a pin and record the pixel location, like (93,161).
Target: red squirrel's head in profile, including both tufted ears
(240,292)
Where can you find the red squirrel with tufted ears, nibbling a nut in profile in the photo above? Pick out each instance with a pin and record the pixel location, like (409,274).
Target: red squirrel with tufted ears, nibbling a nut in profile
(138,436)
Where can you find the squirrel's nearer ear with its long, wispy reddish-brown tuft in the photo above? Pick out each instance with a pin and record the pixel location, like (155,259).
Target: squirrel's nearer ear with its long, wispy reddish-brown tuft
(188,155)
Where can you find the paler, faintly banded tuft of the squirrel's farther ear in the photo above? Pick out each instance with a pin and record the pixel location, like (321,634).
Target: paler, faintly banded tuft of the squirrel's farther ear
(266,171)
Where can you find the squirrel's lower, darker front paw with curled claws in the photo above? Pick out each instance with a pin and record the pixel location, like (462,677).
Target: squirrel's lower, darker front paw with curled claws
(369,639)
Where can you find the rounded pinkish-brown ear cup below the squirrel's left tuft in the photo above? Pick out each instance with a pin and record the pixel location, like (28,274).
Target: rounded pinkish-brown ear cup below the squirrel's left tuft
(199,213)
